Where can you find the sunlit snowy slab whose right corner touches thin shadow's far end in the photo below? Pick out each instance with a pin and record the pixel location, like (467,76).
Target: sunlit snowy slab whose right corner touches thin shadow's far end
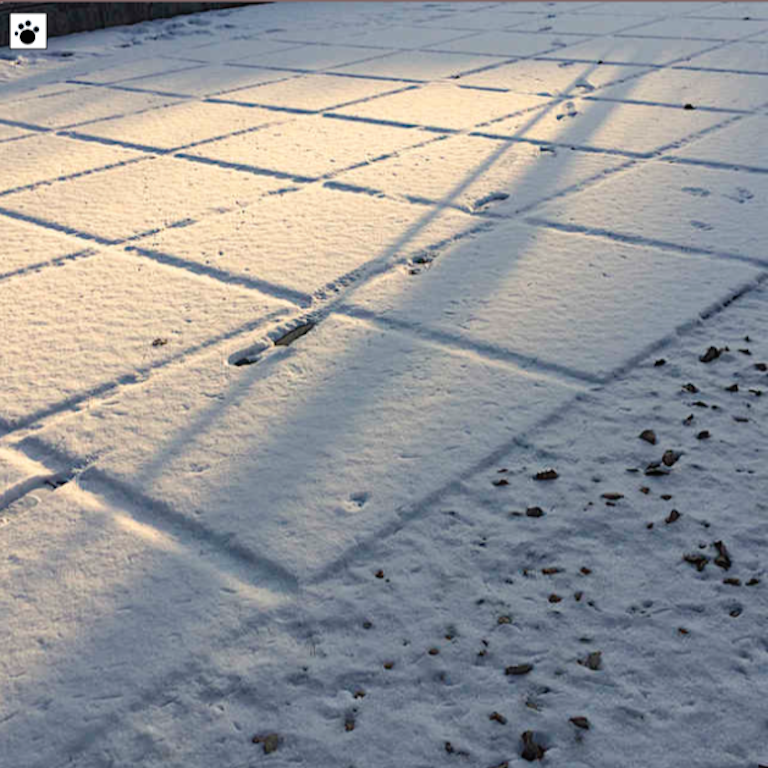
(444,106)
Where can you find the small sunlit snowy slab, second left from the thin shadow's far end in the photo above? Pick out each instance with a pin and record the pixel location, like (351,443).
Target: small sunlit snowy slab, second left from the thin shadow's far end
(313,93)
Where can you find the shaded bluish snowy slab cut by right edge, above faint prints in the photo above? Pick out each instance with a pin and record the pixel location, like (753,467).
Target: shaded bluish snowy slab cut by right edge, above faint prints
(740,143)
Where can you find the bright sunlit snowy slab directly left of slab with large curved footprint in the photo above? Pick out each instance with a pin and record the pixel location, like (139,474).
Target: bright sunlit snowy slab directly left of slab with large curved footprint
(310,145)
